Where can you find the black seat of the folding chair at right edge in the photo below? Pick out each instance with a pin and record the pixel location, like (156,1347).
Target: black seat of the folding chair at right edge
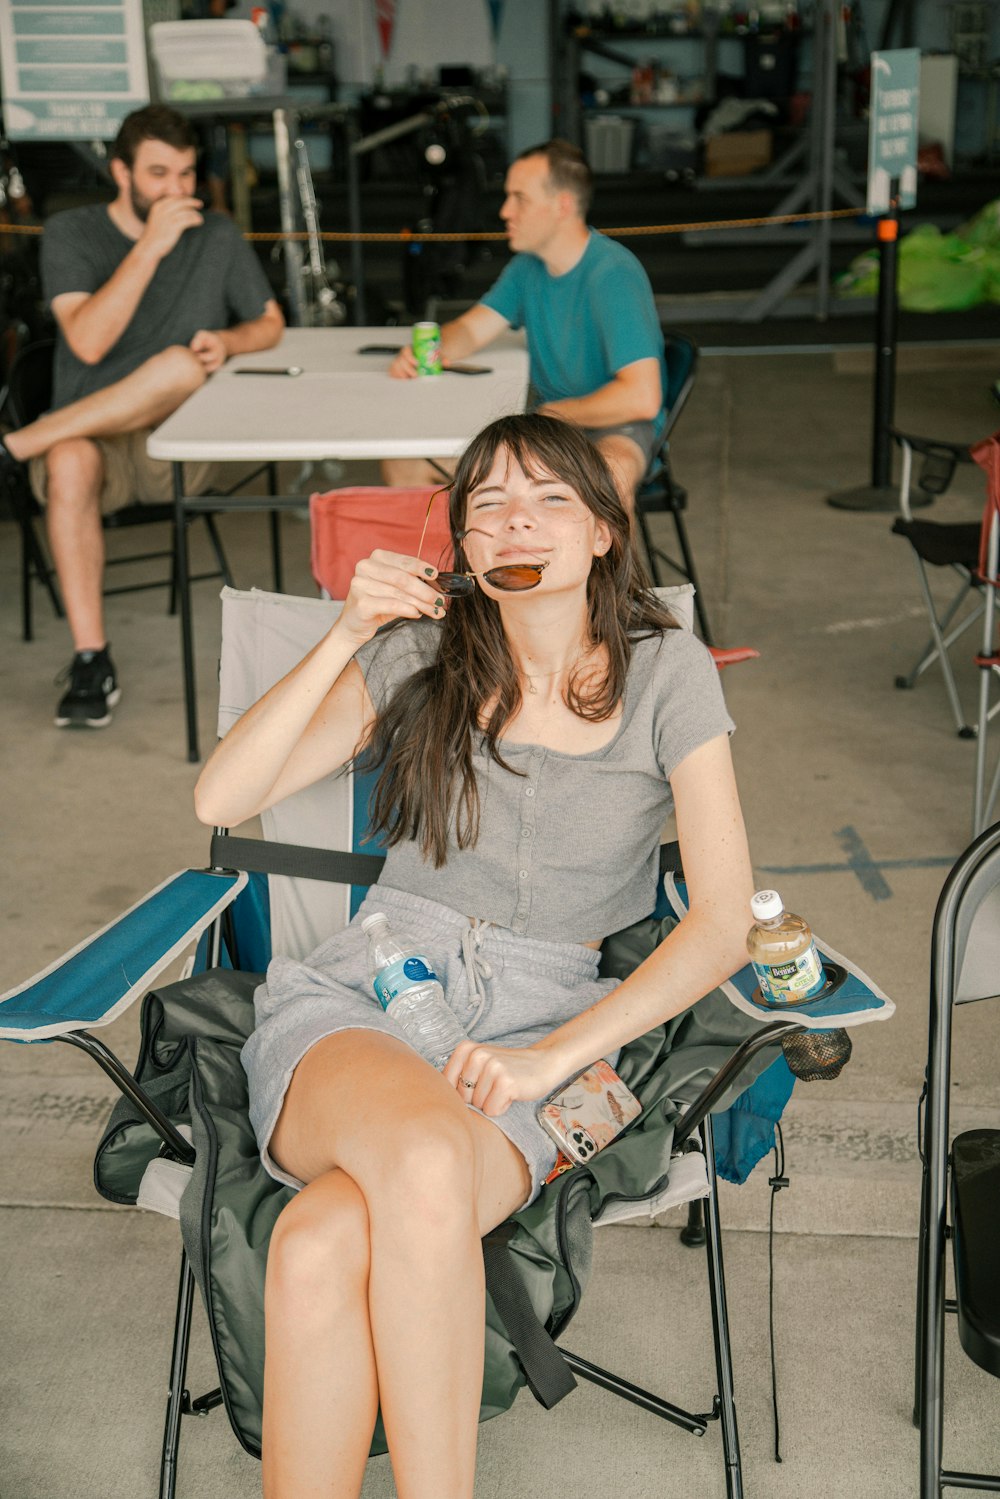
(977,1243)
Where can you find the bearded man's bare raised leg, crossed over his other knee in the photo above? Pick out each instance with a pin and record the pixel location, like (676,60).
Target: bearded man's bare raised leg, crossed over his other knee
(142,399)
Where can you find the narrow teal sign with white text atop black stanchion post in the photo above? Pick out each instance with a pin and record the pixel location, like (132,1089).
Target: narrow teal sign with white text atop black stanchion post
(896,101)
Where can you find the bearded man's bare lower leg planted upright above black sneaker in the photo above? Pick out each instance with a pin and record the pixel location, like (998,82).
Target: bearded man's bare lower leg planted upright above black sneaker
(73,515)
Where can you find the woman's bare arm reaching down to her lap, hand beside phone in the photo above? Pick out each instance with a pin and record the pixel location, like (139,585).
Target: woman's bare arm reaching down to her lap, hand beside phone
(702,951)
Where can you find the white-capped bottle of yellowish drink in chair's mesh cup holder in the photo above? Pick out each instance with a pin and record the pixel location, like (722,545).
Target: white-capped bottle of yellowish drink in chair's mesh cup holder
(791,972)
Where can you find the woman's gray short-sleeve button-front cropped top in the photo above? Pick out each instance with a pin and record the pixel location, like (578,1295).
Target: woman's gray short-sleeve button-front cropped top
(569,843)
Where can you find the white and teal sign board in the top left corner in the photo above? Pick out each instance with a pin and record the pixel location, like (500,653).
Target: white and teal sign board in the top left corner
(73,70)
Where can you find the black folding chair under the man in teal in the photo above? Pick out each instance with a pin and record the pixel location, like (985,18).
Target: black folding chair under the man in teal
(660,491)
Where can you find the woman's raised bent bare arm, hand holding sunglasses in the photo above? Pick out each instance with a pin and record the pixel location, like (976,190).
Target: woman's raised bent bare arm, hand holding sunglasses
(314,720)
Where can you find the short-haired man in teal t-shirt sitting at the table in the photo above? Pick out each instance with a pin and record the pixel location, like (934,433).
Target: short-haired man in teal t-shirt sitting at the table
(588,313)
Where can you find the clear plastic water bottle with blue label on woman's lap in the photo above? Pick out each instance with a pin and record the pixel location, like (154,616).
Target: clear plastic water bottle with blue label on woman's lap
(410,992)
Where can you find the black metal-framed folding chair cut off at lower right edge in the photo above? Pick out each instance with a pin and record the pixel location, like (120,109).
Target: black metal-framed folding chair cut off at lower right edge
(960,1198)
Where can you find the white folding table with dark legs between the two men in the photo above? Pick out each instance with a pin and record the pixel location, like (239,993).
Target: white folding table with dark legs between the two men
(341,404)
